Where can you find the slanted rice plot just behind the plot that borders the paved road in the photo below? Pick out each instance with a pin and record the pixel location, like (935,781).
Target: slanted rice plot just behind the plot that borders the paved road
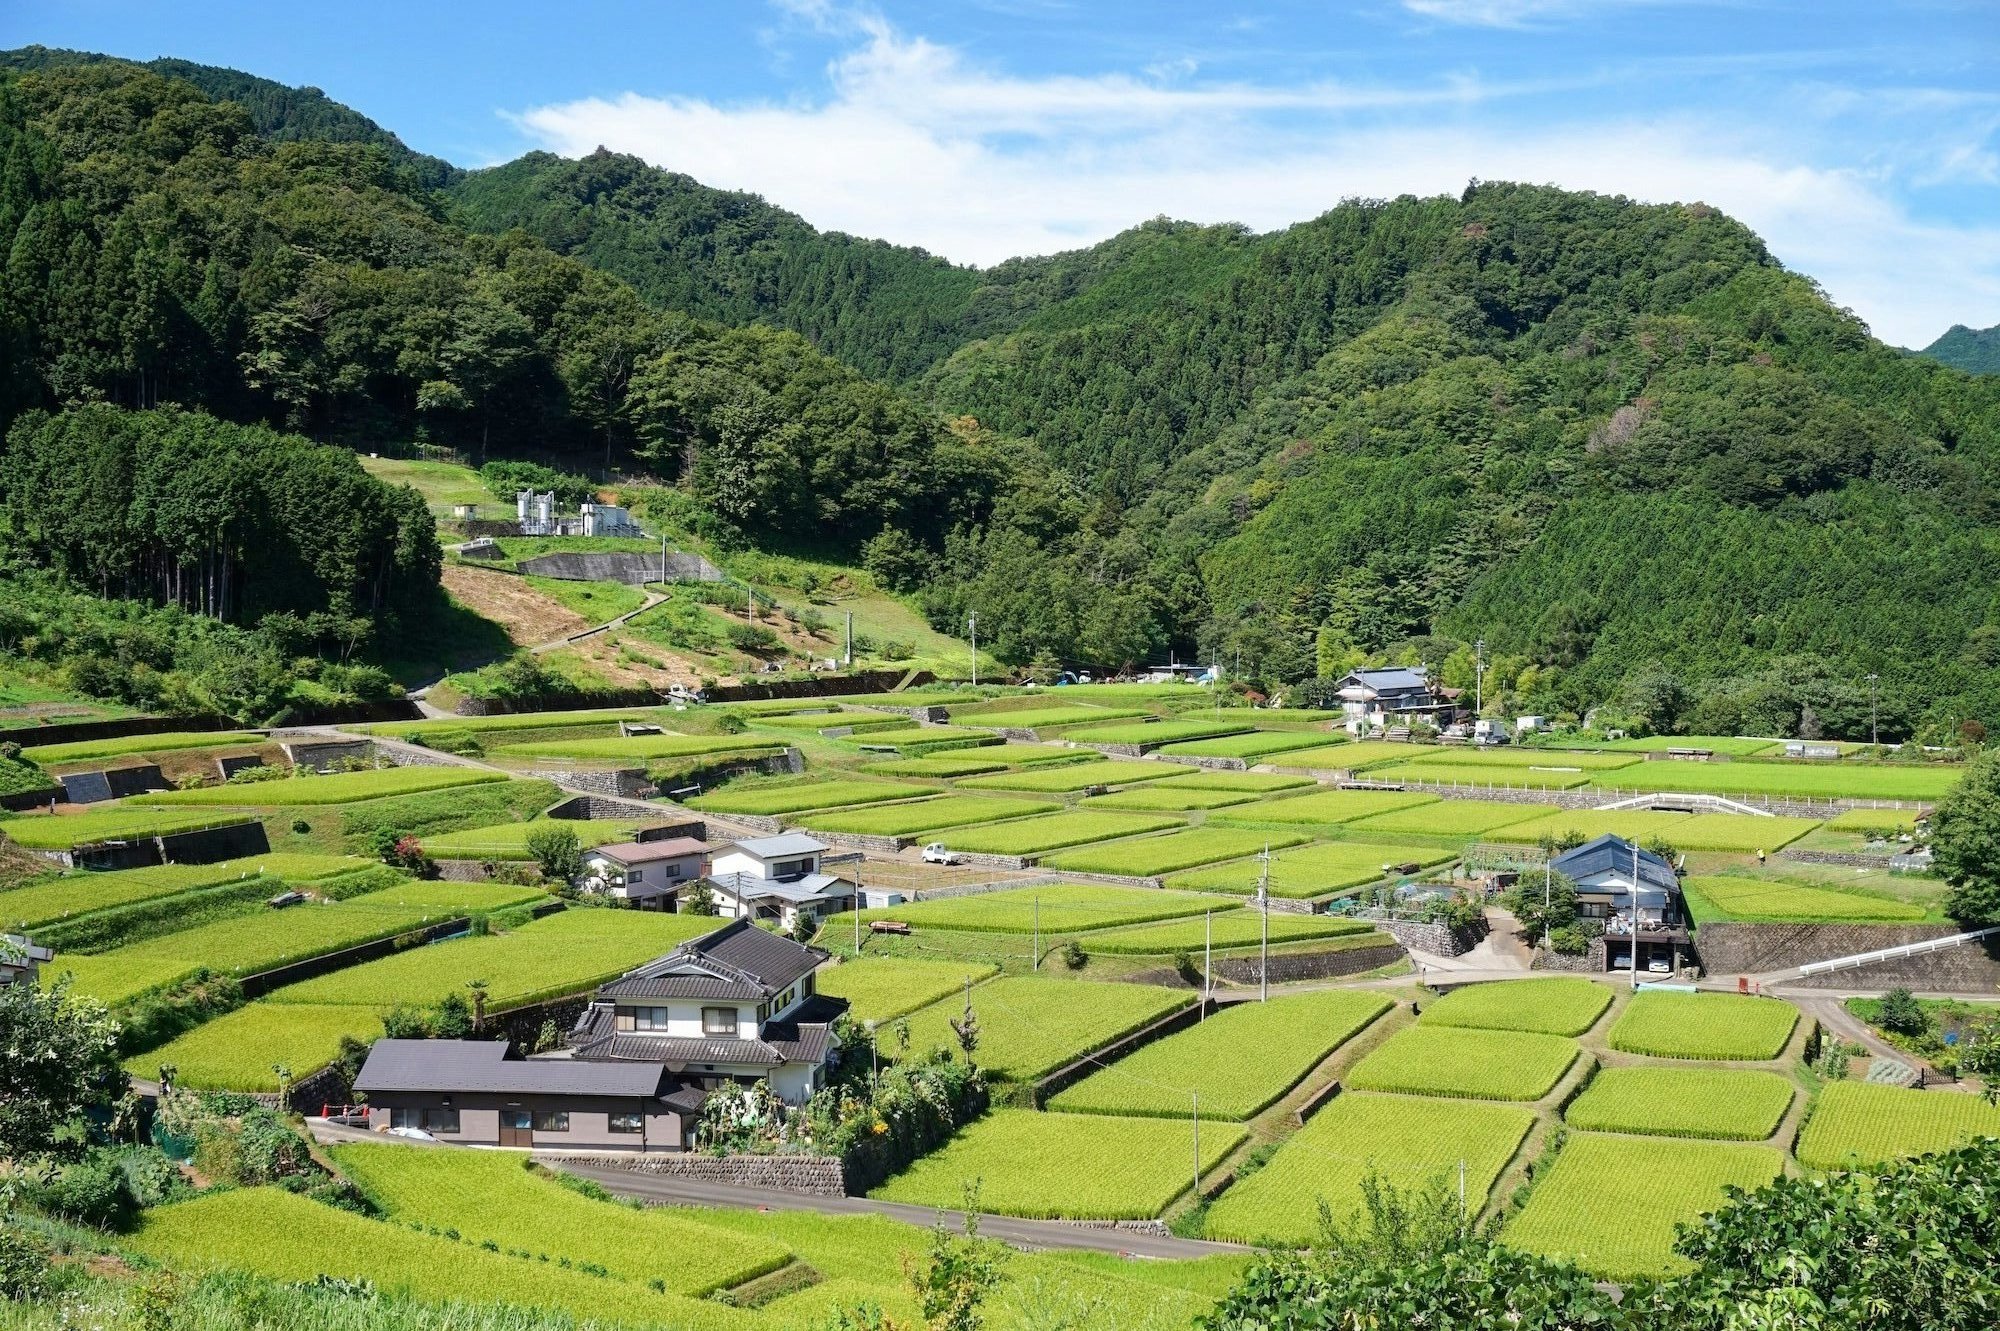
(1239,1060)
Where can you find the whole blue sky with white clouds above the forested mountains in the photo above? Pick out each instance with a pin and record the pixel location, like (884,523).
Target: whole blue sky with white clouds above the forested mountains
(1859,139)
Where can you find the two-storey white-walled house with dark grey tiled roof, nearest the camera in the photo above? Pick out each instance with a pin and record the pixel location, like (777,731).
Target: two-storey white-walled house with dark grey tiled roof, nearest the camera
(735,1006)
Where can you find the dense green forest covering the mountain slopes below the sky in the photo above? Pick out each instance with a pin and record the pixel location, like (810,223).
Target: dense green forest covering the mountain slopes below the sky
(1655,471)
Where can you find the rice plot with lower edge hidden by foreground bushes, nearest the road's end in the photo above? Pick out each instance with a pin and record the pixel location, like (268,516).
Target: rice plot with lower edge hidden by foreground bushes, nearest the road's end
(1405,1140)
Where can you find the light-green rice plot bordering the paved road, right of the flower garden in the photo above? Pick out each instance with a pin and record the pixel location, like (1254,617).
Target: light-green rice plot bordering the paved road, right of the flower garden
(1063,1166)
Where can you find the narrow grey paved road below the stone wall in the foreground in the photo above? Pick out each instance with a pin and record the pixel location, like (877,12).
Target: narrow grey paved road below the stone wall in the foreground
(1025,1234)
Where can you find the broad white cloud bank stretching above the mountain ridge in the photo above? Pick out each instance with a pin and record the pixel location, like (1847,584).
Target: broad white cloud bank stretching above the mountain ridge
(919,147)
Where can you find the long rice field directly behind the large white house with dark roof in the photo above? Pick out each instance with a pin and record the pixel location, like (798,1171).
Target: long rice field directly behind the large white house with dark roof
(549,958)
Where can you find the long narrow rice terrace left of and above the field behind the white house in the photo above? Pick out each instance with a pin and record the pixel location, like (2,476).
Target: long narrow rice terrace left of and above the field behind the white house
(263,942)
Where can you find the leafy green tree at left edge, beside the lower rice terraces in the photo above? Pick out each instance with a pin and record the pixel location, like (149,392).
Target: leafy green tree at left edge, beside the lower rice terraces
(59,1064)
